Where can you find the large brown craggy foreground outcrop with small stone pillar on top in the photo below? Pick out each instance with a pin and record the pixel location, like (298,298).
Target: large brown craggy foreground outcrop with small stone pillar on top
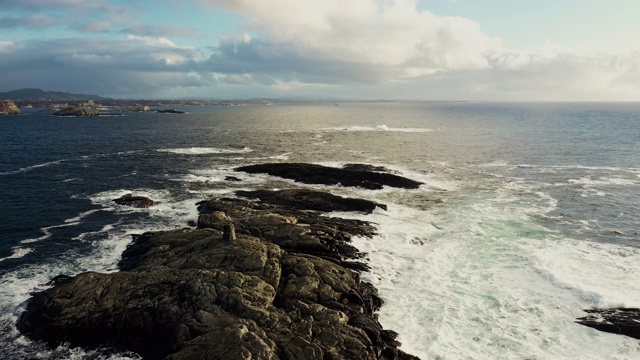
(278,284)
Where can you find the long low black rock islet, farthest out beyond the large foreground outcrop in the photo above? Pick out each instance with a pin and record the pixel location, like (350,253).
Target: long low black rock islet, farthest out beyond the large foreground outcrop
(318,174)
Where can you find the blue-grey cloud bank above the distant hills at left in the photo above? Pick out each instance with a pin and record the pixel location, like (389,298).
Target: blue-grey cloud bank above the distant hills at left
(130,66)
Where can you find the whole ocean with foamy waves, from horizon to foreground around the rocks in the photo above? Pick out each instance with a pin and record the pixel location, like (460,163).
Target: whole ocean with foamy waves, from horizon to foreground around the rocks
(529,213)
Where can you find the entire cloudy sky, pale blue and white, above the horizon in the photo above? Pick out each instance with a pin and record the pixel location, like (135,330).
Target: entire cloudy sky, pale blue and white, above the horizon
(473,50)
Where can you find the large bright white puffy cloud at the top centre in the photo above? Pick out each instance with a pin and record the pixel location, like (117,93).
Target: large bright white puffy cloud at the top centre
(373,32)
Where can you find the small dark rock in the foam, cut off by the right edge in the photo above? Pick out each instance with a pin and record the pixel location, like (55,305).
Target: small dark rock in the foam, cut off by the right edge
(624,321)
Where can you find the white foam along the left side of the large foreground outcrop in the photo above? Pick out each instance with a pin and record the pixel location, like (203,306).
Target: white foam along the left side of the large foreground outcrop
(107,244)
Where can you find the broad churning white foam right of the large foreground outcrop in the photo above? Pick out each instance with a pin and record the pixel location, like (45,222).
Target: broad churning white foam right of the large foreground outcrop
(480,279)
